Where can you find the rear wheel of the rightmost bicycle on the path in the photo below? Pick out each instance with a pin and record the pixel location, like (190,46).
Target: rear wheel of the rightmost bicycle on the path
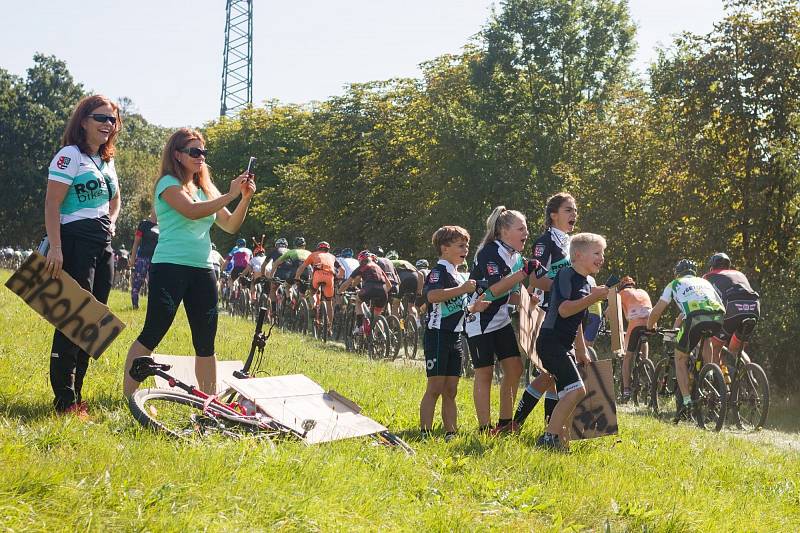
(750,397)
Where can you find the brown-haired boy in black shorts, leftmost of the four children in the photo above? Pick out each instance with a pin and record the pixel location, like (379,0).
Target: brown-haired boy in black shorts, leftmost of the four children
(445,290)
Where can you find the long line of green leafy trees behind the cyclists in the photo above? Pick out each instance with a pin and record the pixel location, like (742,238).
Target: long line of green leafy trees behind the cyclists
(698,155)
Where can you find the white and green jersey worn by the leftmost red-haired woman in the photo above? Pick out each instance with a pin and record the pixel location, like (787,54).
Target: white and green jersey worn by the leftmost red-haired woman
(92,184)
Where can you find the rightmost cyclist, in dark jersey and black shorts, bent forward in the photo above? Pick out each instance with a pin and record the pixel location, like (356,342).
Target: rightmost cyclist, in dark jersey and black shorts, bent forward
(740,300)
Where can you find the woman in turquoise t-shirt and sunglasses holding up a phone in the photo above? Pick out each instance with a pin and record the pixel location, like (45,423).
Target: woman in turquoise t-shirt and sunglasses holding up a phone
(187,203)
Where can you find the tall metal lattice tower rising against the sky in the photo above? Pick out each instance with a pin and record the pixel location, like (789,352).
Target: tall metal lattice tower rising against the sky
(237,59)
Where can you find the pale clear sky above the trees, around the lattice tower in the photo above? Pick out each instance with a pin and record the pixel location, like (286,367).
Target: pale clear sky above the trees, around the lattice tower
(167,55)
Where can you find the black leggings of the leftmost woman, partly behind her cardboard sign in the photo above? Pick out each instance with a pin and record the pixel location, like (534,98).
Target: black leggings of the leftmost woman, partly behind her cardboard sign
(90,264)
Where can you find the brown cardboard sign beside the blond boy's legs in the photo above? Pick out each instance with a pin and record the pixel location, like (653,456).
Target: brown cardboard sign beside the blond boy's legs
(596,414)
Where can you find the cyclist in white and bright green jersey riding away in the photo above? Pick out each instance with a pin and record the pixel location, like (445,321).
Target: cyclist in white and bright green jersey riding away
(702,313)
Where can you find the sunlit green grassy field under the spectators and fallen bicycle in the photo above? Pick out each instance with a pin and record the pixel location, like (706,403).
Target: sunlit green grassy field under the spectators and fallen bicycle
(109,474)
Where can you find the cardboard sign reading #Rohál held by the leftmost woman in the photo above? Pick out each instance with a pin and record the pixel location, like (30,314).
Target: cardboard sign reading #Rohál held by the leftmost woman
(66,305)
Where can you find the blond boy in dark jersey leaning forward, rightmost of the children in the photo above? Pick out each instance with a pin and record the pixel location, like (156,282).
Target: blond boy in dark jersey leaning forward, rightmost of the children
(560,343)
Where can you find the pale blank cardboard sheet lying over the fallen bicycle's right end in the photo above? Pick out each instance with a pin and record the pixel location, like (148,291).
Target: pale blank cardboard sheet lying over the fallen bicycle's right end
(301,404)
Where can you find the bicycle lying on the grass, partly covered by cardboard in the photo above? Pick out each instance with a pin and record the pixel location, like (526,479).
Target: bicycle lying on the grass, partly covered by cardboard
(189,411)
